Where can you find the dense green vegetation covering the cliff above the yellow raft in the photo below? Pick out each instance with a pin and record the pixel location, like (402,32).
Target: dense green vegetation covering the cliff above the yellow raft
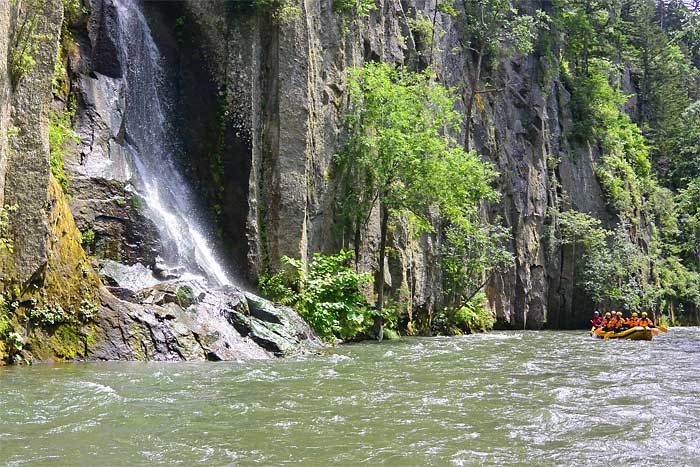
(632,69)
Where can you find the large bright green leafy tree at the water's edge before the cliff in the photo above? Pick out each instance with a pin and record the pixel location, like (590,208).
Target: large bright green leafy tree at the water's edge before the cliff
(402,158)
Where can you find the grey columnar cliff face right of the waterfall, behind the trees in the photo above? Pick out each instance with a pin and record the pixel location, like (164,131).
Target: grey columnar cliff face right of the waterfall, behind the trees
(285,84)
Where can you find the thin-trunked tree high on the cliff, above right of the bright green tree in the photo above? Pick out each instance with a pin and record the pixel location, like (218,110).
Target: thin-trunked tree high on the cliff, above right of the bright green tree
(491,27)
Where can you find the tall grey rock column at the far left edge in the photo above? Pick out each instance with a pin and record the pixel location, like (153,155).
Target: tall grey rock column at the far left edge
(24,143)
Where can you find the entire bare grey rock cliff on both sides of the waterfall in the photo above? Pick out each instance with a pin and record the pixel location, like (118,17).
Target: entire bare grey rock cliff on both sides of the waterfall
(260,112)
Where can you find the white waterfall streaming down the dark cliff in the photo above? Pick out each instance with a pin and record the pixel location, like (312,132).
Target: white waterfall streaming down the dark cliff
(152,144)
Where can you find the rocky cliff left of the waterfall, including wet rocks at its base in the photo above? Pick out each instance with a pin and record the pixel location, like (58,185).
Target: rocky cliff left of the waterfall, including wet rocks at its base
(53,305)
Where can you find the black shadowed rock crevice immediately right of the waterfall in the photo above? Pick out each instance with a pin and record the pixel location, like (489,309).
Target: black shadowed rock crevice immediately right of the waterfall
(215,150)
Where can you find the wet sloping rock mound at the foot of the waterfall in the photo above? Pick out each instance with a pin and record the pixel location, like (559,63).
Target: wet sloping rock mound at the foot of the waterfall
(186,320)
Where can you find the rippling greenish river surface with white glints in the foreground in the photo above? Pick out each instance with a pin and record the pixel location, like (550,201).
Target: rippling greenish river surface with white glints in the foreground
(504,398)
